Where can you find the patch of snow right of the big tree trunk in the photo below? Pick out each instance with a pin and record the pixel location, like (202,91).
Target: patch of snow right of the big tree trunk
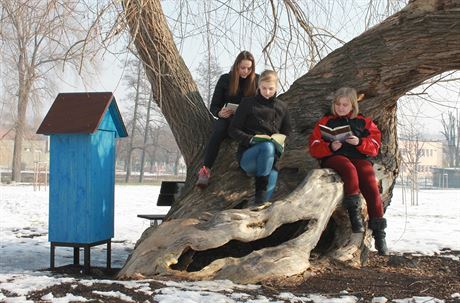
(427,228)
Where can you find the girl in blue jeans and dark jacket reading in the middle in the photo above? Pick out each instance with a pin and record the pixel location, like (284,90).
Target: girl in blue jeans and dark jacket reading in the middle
(262,114)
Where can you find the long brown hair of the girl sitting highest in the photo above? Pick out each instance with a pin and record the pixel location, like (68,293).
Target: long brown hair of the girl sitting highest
(250,85)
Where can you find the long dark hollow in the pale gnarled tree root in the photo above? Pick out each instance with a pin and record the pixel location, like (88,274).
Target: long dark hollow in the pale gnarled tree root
(192,260)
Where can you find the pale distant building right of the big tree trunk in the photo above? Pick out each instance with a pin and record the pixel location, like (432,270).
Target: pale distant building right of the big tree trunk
(420,157)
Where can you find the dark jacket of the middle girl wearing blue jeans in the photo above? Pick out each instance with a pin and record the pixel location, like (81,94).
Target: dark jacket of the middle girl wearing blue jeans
(256,116)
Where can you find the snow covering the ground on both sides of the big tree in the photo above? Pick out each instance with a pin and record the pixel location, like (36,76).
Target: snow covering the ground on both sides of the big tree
(24,248)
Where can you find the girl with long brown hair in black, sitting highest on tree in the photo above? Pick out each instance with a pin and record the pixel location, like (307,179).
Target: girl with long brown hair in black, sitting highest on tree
(240,82)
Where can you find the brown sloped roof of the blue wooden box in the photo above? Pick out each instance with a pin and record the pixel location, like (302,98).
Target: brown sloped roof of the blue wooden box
(73,113)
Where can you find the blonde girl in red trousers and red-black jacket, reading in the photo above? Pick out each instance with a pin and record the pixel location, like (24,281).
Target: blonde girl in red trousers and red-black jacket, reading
(351,160)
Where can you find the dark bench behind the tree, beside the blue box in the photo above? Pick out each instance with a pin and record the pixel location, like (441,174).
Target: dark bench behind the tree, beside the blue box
(169,191)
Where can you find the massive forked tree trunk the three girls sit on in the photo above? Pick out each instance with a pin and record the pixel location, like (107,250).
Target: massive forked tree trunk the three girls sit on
(207,236)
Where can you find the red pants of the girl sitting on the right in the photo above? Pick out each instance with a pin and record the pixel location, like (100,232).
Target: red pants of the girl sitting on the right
(358,176)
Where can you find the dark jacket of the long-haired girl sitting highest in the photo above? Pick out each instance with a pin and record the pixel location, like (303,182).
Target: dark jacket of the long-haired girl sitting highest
(222,96)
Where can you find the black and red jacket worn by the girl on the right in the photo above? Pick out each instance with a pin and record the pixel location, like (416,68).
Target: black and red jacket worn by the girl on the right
(362,127)
